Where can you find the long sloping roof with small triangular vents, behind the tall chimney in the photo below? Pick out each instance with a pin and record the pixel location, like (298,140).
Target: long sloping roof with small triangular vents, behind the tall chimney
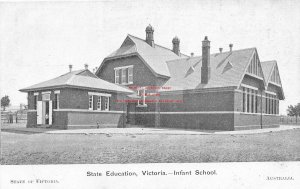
(227,70)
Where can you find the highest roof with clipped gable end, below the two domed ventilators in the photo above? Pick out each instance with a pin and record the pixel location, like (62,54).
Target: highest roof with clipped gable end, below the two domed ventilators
(154,57)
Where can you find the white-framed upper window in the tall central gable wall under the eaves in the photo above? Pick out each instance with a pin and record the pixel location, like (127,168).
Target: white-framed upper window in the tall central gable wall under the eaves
(124,75)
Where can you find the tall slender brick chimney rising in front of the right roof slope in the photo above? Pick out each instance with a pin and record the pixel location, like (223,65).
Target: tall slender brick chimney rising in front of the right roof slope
(205,69)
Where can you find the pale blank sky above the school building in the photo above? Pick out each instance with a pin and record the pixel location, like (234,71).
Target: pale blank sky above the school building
(38,40)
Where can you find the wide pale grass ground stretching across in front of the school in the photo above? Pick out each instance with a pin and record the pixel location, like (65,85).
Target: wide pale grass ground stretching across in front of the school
(79,148)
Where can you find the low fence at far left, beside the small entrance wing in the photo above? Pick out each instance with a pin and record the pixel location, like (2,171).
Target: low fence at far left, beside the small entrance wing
(13,117)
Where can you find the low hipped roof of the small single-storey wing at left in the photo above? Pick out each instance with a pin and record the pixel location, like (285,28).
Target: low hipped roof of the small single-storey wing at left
(78,79)
